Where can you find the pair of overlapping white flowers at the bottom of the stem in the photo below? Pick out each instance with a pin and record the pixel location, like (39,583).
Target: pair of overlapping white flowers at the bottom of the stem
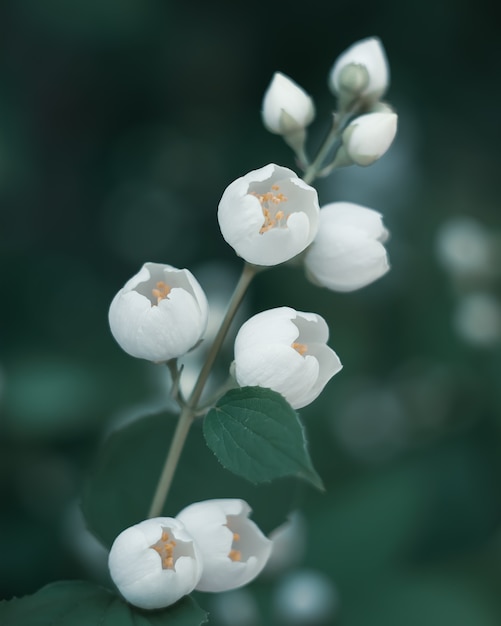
(209,546)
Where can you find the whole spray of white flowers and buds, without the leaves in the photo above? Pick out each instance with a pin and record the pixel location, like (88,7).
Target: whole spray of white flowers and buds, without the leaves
(268,216)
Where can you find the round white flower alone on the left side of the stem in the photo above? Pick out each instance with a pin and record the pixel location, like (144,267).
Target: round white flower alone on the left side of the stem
(160,313)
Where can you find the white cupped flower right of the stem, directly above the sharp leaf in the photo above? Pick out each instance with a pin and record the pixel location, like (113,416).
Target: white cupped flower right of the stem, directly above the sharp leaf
(286,351)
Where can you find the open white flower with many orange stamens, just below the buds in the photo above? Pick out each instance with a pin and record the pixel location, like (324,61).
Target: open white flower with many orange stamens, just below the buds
(269,215)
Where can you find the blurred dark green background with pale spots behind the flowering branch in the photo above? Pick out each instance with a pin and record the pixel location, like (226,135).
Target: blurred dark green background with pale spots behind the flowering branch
(121,123)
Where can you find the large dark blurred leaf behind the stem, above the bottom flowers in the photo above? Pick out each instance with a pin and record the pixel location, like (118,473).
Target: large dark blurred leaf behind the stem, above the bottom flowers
(122,481)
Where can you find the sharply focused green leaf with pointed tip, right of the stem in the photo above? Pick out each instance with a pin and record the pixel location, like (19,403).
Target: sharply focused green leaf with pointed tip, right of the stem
(255,433)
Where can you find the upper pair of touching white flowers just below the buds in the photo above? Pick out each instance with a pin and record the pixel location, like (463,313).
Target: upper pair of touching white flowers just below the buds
(344,241)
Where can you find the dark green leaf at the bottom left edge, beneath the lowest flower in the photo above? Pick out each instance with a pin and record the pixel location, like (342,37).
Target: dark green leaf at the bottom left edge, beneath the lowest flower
(84,604)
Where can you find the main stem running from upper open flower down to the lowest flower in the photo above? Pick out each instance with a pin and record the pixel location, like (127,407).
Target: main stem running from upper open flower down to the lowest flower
(189,411)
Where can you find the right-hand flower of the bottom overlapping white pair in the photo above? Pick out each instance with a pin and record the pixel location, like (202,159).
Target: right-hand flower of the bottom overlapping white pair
(234,550)
